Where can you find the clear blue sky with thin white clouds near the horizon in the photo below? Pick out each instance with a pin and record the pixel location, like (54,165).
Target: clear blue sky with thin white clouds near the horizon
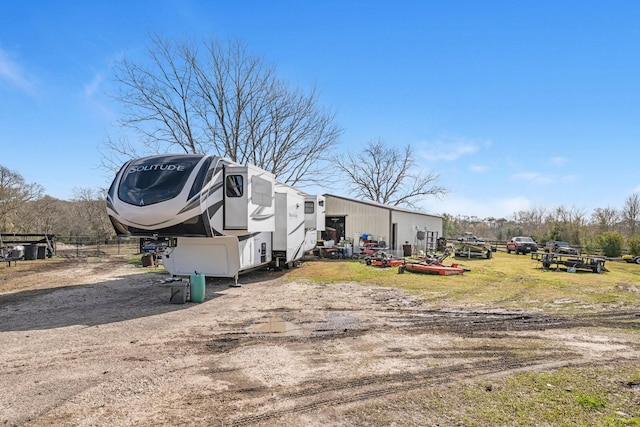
(516,104)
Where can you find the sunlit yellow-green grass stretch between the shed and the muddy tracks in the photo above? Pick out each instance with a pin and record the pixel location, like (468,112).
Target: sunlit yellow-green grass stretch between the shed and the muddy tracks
(506,281)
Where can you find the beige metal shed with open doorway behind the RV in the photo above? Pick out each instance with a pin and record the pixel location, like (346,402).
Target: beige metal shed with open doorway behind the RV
(350,219)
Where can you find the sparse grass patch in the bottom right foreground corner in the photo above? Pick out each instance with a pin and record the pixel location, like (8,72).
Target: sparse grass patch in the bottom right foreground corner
(602,396)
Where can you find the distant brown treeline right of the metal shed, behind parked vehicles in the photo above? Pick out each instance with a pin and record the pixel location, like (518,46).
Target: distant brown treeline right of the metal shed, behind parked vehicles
(606,230)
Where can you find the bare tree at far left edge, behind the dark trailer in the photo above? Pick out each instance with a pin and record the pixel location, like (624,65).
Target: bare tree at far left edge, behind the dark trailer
(14,193)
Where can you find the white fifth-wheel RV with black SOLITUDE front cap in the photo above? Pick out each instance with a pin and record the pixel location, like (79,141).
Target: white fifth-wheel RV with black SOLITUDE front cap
(221,218)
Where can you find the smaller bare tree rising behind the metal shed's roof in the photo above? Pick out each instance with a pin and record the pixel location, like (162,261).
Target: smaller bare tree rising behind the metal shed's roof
(387,175)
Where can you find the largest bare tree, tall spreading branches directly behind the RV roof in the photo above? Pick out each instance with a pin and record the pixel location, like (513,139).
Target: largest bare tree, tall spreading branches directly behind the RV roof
(225,101)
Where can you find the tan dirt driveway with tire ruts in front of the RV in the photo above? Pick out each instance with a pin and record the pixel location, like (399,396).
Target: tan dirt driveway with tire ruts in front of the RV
(98,343)
